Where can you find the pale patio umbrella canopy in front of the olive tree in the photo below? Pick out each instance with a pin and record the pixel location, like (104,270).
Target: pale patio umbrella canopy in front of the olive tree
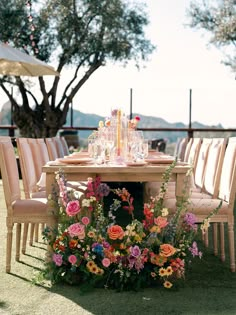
(16,63)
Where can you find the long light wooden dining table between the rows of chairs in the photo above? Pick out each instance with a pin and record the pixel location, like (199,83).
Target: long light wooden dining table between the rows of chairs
(118,173)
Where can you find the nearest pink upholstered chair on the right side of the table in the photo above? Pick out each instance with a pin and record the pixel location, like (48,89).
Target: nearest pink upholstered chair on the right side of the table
(226,191)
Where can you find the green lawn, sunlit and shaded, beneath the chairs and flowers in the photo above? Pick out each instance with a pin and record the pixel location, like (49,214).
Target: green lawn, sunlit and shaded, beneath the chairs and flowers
(209,288)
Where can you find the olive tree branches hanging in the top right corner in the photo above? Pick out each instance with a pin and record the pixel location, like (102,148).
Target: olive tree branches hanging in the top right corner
(218,19)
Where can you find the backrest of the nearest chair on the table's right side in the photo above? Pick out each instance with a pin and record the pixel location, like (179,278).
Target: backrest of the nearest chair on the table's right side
(227,187)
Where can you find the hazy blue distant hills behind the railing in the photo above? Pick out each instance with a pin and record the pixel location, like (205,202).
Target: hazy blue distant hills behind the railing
(91,120)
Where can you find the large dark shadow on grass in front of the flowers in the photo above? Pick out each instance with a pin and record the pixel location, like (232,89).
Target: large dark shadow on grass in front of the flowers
(209,288)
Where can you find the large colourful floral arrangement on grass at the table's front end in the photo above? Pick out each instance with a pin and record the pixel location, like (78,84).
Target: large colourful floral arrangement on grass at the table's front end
(91,249)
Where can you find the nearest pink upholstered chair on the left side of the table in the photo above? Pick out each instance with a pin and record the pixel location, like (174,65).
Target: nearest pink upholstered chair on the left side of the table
(19,211)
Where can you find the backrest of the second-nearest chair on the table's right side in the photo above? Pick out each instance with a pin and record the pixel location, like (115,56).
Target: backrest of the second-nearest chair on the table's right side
(213,166)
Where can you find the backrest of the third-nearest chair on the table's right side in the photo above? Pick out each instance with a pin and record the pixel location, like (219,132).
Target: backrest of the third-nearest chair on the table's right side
(199,171)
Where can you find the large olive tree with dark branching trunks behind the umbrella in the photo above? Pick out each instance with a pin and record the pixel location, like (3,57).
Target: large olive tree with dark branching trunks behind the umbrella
(81,34)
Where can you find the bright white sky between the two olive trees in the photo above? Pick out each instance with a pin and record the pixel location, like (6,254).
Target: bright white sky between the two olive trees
(182,61)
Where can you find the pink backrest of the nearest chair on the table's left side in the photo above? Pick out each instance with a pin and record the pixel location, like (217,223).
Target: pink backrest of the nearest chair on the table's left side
(9,171)
